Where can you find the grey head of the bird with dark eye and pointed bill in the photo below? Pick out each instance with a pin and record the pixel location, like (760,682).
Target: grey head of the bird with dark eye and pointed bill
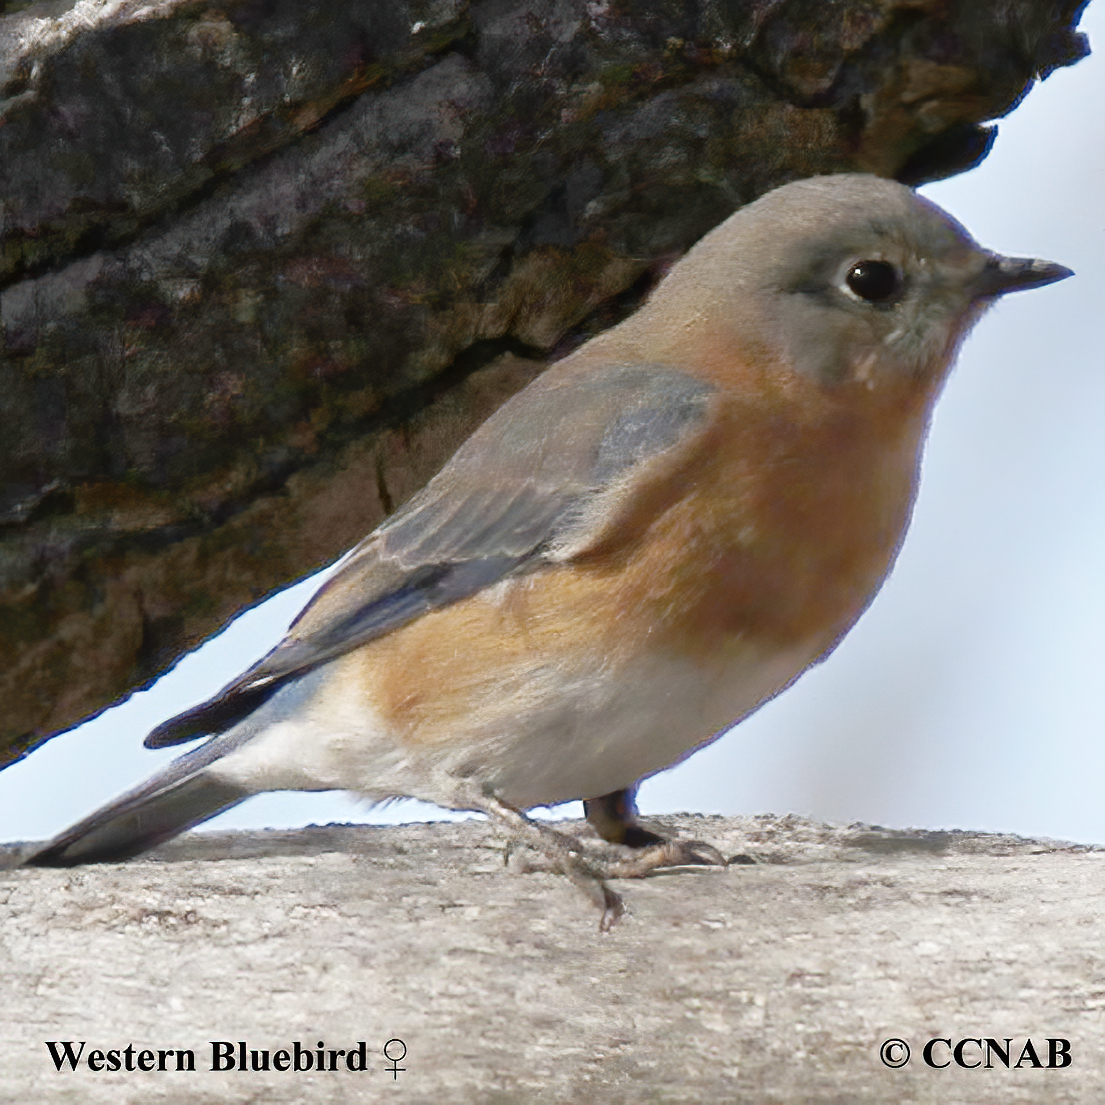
(847,278)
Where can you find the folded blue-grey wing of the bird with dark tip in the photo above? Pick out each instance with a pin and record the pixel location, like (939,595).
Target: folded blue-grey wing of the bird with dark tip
(538,483)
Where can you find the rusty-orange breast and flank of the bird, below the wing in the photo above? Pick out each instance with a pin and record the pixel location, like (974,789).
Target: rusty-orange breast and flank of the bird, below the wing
(775,530)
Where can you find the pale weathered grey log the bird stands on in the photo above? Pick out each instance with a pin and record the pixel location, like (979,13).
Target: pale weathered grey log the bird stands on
(774,982)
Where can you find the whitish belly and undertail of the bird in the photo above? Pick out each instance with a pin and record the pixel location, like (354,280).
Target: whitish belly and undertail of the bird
(543,738)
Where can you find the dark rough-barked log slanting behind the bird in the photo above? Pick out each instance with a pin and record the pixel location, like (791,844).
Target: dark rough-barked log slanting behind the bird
(265,266)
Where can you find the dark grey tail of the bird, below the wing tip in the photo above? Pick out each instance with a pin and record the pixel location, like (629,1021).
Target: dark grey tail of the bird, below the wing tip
(175,799)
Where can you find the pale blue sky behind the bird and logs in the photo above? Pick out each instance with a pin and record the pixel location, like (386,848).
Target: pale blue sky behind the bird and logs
(972,696)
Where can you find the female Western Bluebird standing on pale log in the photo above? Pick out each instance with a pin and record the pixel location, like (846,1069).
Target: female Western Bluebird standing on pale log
(656,538)
